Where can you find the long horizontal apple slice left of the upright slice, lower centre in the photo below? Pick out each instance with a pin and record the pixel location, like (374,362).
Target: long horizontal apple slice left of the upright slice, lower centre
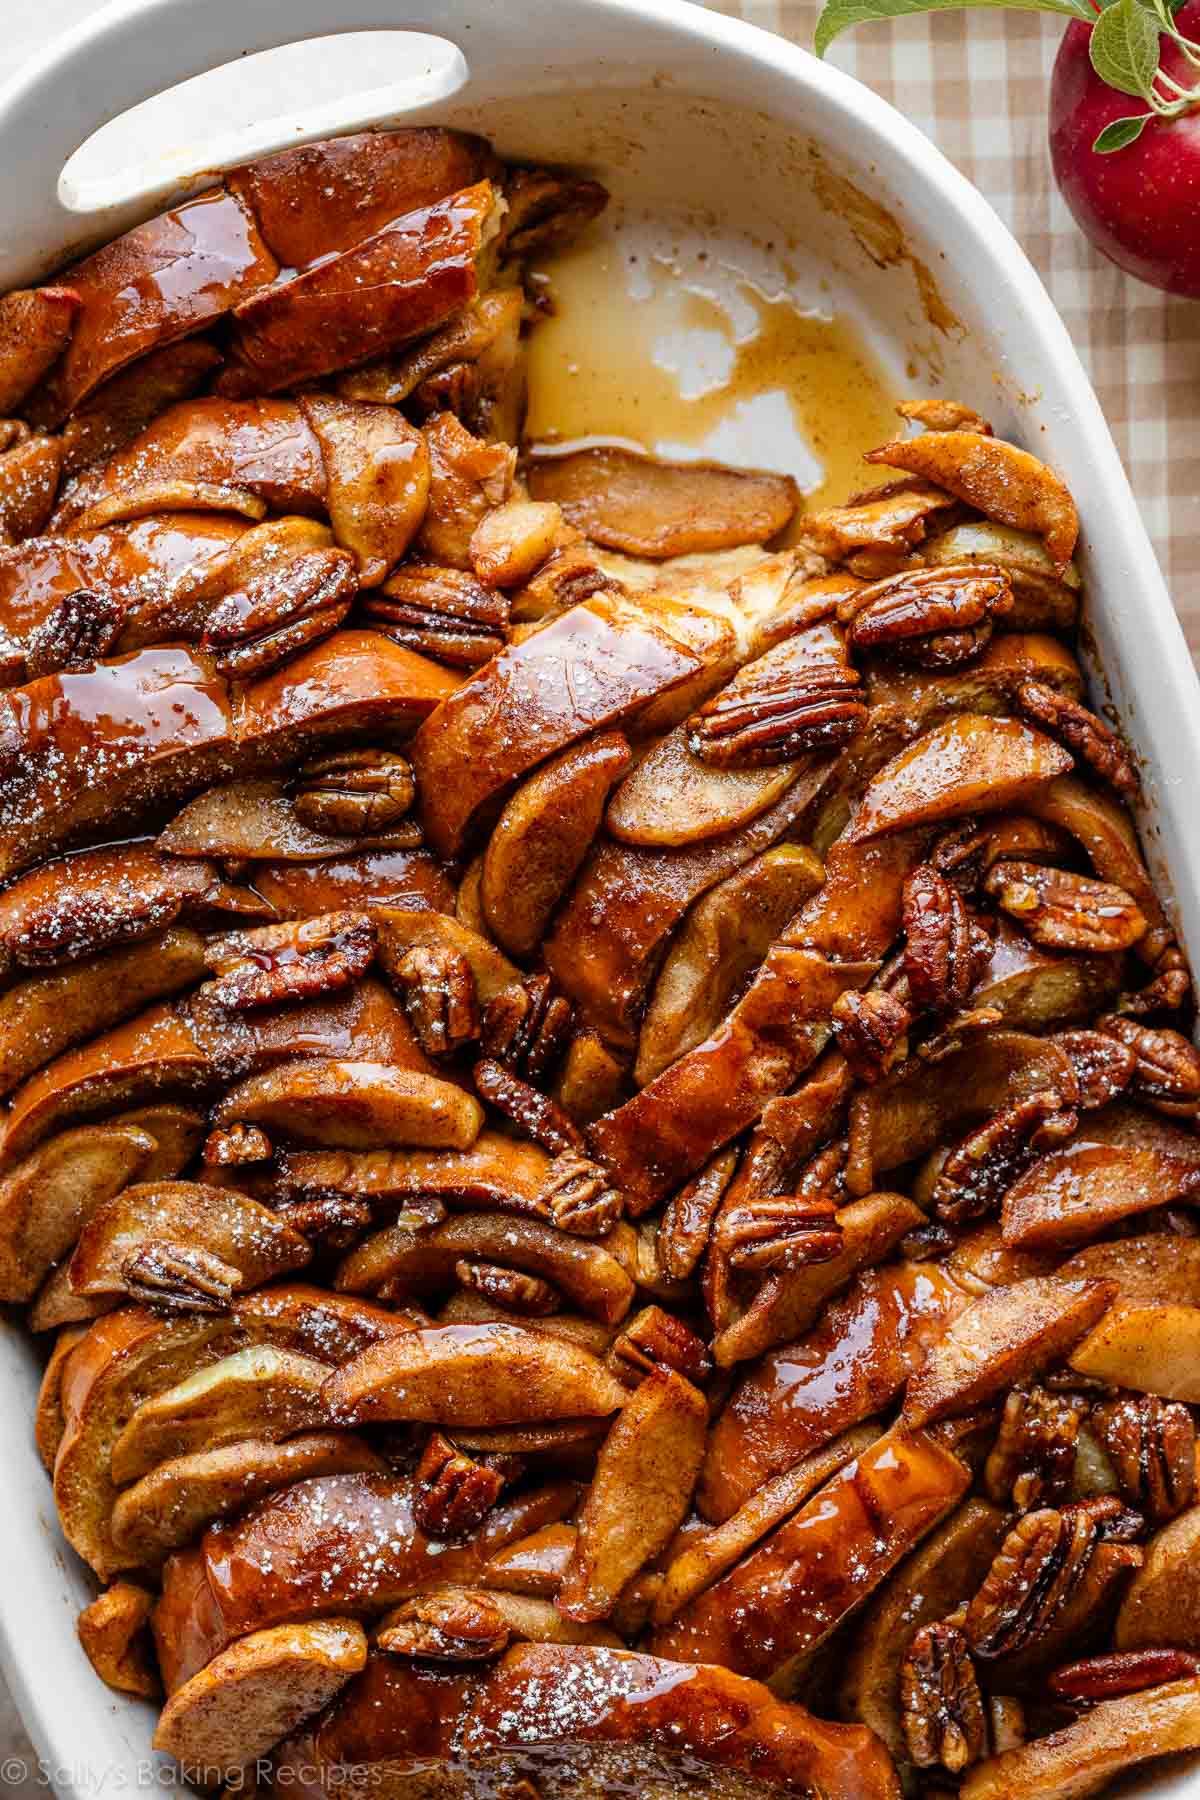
(472,1376)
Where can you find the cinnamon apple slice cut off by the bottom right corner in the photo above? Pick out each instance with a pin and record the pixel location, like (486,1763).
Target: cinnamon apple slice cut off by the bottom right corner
(1084,1756)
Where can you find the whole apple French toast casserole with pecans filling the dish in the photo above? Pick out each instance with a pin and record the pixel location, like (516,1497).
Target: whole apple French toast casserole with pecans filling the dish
(602,1122)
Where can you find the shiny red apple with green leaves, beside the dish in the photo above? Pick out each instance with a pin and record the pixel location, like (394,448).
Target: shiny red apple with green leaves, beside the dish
(1142,204)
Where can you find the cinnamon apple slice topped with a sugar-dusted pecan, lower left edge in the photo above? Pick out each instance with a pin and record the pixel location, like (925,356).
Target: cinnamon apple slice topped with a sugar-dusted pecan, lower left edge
(148,1237)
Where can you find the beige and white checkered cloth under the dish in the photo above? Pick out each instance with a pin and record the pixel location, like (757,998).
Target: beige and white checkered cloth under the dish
(978,84)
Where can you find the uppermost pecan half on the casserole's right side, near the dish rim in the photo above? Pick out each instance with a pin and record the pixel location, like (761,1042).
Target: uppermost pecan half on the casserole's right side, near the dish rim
(935,618)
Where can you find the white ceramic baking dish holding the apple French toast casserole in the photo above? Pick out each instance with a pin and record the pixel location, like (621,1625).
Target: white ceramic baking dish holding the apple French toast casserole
(722,132)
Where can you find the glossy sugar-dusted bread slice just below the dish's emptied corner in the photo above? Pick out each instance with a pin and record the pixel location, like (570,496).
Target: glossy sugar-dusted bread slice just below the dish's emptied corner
(591,669)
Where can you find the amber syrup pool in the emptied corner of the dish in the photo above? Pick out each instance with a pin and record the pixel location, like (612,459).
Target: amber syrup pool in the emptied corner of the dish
(686,357)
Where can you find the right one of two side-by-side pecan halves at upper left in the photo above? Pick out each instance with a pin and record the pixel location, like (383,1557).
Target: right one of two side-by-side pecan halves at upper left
(445,613)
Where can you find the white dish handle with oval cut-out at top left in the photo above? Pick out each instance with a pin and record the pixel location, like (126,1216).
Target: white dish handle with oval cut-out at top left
(136,49)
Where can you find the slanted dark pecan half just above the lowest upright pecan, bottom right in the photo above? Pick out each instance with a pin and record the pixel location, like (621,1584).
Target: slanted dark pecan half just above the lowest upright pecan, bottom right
(1037,1570)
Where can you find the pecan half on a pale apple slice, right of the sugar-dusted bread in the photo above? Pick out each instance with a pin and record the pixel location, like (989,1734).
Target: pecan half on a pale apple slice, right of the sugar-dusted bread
(782,715)
